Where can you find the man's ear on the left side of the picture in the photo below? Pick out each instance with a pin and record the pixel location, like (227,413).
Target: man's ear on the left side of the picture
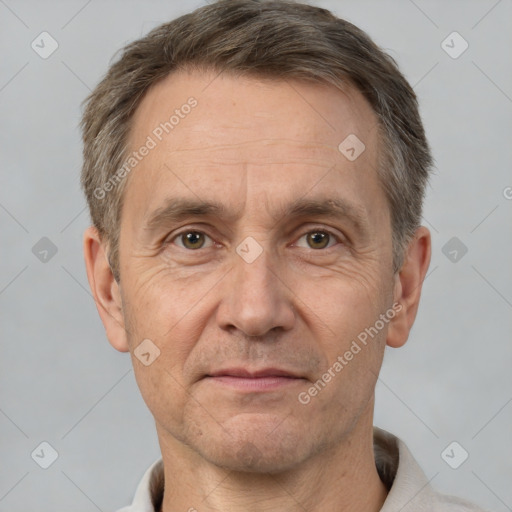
(105,289)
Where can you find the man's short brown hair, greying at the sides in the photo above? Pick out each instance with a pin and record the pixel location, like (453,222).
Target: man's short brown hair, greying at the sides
(277,39)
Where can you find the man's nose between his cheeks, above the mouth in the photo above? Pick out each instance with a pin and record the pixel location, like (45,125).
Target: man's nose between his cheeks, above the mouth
(256,298)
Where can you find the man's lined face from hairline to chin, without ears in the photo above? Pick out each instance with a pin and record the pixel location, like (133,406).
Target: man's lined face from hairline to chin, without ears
(255,285)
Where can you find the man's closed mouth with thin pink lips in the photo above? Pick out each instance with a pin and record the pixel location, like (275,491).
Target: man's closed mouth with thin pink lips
(266,379)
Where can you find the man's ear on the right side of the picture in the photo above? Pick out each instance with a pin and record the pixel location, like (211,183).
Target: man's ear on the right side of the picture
(408,283)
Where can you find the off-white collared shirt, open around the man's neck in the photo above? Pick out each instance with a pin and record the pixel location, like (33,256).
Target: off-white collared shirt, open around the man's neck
(409,488)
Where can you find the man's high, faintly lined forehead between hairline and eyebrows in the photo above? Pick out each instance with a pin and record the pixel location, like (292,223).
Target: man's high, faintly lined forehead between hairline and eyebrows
(215,132)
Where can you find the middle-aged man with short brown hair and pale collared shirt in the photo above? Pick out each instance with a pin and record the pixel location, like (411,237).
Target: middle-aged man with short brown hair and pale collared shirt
(255,173)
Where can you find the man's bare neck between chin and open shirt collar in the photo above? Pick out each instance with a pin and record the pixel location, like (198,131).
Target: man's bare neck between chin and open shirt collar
(342,478)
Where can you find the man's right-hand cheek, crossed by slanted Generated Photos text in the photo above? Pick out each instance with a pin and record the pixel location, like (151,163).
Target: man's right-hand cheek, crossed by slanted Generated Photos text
(343,311)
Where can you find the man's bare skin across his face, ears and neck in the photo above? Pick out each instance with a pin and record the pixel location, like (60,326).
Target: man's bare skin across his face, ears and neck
(255,146)
